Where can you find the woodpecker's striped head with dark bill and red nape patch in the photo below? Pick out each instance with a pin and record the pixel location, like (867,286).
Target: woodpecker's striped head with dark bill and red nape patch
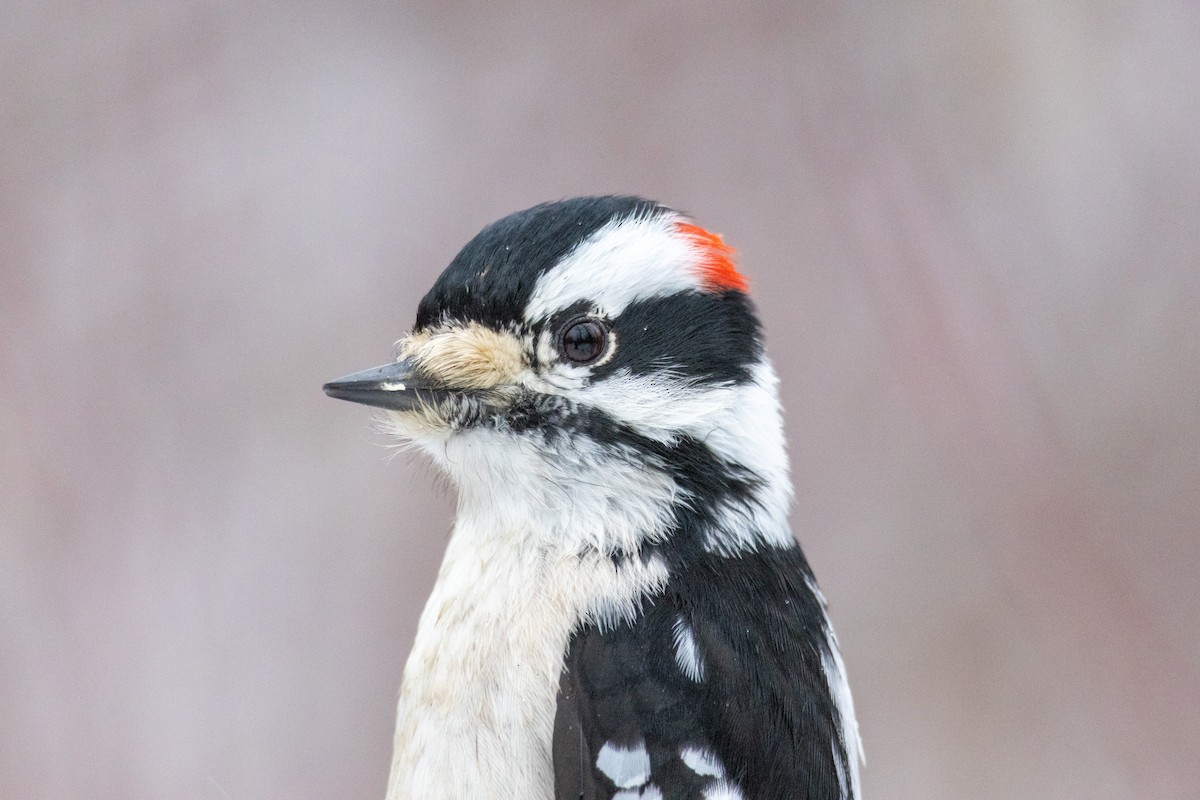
(596,365)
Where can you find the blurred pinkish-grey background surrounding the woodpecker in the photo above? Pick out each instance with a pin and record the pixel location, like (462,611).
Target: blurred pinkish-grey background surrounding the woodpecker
(974,232)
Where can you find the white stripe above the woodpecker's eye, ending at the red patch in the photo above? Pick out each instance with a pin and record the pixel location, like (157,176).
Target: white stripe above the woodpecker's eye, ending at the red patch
(632,258)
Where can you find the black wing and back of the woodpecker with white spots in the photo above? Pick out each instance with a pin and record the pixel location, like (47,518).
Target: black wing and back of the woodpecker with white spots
(719,689)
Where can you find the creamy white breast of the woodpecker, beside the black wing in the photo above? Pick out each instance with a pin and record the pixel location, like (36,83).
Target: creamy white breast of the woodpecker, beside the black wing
(477,708)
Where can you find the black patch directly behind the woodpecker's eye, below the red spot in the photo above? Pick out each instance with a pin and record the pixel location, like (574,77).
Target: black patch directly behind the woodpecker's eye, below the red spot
(709,338)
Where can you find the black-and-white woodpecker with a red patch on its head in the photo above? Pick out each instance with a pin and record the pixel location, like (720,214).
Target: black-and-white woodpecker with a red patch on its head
(622,612)
